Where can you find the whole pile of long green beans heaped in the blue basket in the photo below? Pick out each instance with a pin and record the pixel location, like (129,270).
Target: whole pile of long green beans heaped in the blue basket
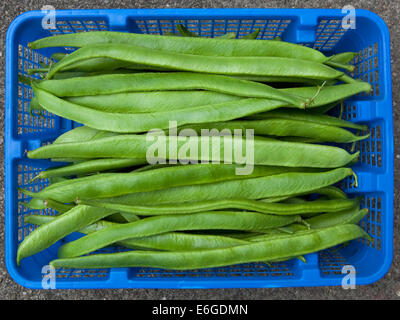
(188,211)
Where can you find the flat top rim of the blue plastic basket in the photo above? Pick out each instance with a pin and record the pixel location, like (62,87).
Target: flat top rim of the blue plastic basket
(159,13)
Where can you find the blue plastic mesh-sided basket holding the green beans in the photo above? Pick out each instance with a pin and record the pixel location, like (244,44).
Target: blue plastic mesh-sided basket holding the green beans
(320,29)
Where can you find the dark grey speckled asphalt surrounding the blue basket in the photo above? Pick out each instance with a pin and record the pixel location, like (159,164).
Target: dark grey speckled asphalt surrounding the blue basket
(386,288)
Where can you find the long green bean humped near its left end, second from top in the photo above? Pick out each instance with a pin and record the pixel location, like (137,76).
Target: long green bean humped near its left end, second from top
(263,66)
